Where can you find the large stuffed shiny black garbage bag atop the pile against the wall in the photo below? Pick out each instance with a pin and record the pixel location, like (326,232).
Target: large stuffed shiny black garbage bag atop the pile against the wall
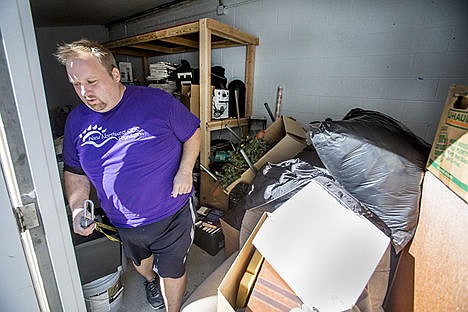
(380,162)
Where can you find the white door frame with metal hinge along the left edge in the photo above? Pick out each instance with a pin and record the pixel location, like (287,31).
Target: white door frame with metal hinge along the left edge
(30,176)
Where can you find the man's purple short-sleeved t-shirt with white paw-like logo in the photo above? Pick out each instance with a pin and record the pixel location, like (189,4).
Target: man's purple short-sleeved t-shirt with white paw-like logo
(131,153)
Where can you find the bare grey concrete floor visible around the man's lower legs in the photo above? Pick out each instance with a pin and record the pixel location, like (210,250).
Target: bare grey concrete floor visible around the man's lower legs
(200,264)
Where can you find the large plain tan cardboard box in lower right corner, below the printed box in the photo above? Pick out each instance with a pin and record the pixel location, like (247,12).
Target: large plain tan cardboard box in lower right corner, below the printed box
(432,274)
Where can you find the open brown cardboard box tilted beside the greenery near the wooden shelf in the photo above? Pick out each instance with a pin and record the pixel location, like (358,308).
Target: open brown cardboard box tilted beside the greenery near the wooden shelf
(287,138)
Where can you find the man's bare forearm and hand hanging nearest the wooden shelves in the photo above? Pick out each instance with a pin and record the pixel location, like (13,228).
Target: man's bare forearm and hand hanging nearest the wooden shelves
(183,180)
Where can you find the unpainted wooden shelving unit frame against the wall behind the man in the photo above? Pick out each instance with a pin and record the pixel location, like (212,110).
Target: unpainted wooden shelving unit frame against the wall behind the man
(202,36)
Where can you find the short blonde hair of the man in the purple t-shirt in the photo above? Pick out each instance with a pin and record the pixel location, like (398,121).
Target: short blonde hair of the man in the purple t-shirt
(67,52)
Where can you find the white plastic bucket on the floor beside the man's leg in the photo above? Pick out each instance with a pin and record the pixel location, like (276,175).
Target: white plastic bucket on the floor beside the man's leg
(104,294)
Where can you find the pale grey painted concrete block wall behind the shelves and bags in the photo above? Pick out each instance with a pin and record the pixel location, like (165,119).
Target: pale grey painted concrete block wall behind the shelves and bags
(396,57)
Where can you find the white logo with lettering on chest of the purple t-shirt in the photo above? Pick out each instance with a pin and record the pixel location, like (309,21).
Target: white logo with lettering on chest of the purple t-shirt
(97,136)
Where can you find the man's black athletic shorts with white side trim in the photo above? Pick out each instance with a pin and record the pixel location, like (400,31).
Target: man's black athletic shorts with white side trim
(168,240)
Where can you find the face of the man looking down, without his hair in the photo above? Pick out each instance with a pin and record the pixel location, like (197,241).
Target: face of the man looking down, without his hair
(98,89)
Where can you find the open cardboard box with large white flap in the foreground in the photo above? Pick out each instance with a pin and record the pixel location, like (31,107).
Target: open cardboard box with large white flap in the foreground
(325,263)
